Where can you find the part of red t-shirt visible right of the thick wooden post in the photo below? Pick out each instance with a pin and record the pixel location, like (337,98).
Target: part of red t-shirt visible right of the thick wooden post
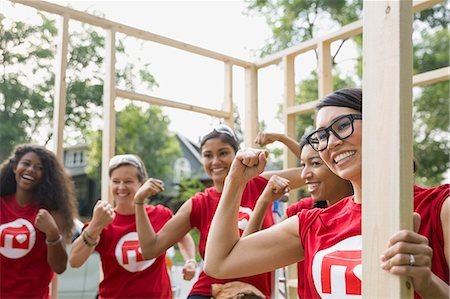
(428,203)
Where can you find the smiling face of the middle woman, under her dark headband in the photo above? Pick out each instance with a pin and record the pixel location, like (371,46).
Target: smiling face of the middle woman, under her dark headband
(217,158)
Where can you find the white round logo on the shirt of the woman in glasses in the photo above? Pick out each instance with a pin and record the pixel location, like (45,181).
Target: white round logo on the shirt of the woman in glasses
(337,271)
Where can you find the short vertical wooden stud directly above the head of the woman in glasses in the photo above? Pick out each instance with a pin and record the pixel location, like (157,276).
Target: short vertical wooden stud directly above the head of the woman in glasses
(325,69)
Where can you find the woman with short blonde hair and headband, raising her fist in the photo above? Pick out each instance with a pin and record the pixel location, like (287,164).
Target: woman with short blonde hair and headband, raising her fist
(112,233)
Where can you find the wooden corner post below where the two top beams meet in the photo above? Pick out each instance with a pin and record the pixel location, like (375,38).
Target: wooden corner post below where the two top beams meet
(251,106)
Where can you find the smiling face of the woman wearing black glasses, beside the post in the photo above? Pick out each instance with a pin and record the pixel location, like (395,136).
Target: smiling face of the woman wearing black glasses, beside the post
(343,157)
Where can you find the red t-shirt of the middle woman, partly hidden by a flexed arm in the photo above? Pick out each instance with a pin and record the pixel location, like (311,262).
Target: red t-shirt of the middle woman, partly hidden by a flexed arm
(204,205)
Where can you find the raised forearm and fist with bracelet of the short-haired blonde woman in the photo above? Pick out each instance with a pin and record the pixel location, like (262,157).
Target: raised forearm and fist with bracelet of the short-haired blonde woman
(84,245)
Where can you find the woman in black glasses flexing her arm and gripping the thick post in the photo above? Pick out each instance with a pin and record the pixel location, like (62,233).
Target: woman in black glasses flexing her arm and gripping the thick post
(325,238)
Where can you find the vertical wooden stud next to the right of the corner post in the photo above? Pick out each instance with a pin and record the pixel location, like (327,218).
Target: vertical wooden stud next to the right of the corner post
(290,160)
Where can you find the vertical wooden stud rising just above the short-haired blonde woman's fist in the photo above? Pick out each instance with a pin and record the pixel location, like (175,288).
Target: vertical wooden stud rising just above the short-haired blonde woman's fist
(109,113)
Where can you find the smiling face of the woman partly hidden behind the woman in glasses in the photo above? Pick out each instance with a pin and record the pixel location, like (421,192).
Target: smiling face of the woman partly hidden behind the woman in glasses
(322,183)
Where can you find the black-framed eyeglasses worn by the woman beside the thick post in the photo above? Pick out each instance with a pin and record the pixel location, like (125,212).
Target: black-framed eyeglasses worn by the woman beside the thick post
(342,128)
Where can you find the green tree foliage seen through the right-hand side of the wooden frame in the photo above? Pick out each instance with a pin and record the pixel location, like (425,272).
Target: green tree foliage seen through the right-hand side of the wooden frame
(294,21)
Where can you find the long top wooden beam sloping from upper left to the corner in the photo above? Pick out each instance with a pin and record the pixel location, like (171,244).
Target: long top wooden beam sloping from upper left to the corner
(130,31)
